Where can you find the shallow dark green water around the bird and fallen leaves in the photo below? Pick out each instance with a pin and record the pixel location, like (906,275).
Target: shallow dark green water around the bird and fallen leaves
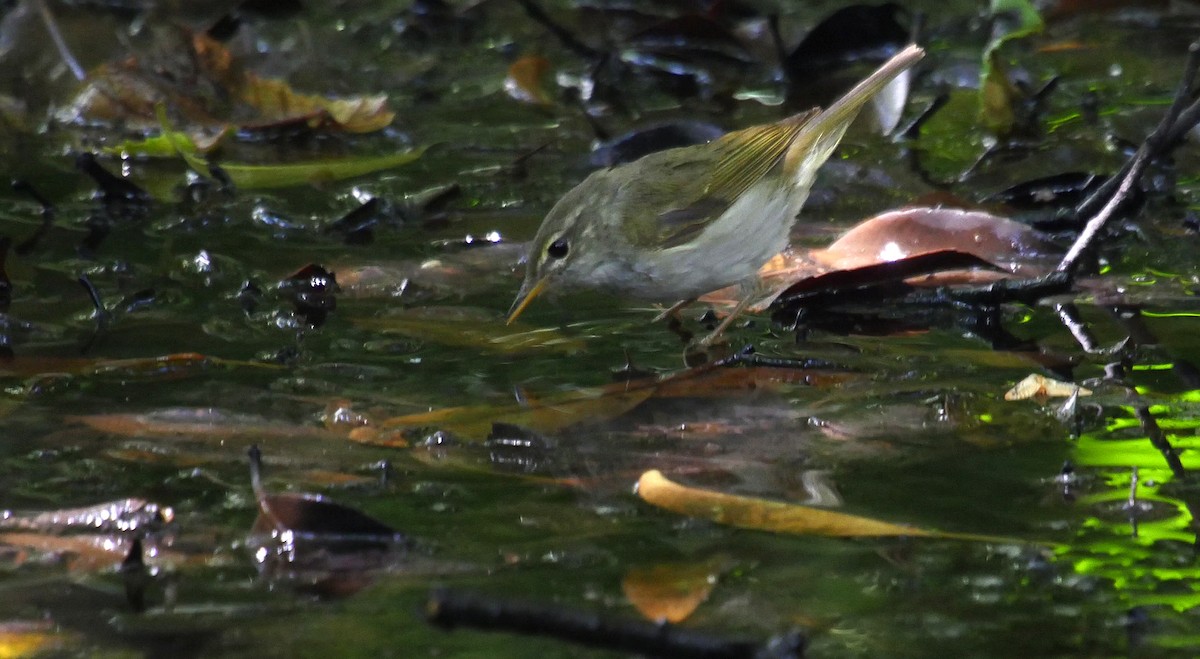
(907,426)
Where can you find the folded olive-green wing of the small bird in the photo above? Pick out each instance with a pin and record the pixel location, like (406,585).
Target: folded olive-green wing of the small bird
(698,184)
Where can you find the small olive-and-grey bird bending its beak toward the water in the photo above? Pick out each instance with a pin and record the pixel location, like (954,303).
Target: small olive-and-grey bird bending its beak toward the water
(682,223)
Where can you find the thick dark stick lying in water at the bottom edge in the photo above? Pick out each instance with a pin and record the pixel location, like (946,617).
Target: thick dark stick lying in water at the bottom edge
(448,610)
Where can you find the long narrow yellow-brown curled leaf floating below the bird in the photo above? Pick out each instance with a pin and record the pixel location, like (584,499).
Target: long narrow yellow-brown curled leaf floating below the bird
(777,517)
